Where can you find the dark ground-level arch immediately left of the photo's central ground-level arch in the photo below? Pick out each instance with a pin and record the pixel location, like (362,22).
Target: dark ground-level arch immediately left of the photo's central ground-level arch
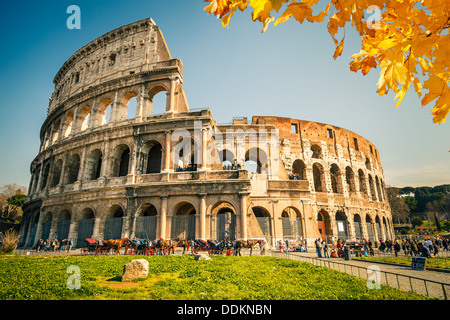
(183,222)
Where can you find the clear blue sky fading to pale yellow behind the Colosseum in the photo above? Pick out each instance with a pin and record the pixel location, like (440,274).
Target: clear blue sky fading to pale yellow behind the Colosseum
(288,71)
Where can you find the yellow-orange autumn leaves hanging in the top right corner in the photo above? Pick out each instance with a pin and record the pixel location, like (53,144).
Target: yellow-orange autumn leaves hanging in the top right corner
(409,35)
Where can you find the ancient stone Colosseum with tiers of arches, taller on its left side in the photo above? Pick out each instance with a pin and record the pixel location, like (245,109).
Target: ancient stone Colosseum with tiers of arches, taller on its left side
(108,168)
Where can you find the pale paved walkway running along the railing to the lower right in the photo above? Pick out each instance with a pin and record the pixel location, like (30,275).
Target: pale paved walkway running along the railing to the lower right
(431,283)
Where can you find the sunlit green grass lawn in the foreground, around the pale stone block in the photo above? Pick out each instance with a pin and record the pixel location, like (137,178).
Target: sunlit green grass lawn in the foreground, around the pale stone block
(181,277)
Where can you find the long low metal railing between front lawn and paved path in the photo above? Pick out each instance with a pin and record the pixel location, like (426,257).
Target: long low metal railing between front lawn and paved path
(429,288)
